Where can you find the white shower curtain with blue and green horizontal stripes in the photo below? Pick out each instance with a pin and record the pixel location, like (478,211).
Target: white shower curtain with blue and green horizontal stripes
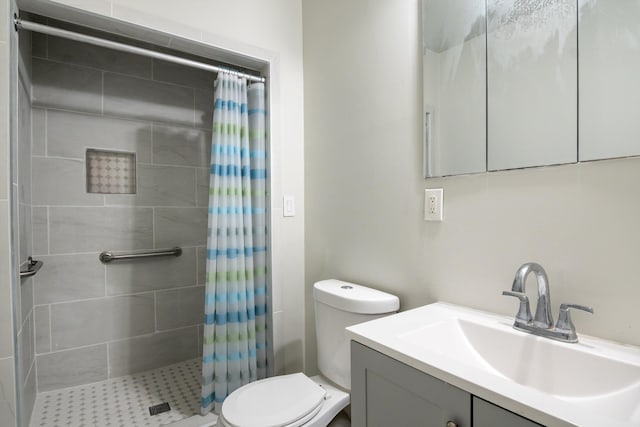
(234,344)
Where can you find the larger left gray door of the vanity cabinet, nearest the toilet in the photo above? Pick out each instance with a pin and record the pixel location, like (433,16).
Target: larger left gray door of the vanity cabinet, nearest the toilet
(385,392)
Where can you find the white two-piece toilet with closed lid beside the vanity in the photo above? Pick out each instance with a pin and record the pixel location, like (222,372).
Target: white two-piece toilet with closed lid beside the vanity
(297,400)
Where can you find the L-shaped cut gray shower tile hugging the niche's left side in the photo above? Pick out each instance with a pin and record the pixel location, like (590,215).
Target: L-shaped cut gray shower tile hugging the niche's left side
(59,181)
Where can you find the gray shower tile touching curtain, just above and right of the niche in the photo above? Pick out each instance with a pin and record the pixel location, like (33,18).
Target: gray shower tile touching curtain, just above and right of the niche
(174,145)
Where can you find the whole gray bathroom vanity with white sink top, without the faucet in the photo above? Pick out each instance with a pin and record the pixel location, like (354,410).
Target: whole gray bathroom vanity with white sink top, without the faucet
(452,366)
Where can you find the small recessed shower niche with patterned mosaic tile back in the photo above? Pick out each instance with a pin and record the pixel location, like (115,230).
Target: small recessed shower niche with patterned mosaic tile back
(110,172)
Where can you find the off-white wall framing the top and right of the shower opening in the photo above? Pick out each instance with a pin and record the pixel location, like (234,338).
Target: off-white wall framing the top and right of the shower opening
(269,31)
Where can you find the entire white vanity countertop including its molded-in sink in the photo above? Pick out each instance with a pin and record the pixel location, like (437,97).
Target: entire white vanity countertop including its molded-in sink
(590,383)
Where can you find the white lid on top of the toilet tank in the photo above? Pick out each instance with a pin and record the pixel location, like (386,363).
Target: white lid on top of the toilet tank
(354,298)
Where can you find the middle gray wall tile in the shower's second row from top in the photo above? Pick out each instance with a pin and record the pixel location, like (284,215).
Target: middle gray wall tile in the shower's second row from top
(126,96)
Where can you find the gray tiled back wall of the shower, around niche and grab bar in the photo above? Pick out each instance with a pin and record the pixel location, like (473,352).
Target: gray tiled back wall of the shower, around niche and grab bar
(95,321)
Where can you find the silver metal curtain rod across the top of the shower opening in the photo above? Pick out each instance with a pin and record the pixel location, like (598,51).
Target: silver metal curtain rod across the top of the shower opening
(45,29)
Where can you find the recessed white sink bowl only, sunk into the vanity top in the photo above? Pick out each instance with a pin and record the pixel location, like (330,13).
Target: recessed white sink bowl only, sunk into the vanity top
(560,369)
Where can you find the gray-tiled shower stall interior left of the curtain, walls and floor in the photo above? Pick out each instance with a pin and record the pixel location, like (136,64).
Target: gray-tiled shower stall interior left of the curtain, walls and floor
(113,153)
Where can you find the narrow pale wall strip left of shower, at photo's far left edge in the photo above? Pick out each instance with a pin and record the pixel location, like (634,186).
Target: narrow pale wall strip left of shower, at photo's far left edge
(7,362)
